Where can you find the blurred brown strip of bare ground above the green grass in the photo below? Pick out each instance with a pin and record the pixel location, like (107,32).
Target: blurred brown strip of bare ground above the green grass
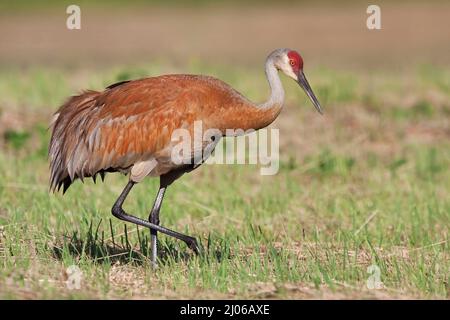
(231,32)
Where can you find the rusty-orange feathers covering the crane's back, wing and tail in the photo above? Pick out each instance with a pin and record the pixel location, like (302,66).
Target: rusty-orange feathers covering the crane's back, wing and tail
(131,122)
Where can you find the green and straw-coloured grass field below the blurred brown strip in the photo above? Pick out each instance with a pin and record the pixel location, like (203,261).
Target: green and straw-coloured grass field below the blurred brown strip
(366,184)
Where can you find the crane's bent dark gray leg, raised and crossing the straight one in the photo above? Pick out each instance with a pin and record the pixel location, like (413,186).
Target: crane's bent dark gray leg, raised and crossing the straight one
(118,212)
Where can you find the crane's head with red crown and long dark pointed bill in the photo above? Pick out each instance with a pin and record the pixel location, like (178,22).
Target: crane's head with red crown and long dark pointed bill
(290,62)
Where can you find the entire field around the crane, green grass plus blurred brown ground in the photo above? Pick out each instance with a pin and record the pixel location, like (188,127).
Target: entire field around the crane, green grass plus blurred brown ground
(364,187)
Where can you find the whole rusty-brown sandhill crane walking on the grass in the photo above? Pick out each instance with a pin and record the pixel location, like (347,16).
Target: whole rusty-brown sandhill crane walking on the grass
(127,128)
